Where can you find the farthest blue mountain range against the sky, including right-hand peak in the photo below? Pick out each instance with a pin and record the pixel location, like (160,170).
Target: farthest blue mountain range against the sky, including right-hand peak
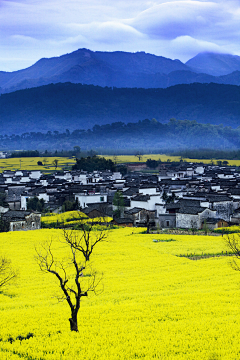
(124,69)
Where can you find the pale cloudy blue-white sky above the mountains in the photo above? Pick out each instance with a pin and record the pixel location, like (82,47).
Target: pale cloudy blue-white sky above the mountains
(34,29)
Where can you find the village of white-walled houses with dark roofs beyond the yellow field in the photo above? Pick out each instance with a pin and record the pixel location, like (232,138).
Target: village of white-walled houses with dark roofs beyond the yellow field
(187,196)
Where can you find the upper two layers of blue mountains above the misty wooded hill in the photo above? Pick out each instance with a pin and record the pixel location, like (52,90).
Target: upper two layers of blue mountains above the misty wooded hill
(86,89)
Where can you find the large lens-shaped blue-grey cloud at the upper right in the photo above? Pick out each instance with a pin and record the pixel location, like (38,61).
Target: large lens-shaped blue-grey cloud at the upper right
(179,18)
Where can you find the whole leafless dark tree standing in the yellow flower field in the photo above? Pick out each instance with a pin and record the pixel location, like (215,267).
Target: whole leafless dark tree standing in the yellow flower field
(73,279)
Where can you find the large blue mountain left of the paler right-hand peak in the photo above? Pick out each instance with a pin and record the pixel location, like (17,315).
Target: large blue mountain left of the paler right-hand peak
(86,66)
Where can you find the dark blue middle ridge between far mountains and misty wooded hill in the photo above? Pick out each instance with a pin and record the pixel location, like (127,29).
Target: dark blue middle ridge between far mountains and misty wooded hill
(57,107)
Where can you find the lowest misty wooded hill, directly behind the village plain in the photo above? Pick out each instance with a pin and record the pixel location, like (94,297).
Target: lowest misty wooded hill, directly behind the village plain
(147,135)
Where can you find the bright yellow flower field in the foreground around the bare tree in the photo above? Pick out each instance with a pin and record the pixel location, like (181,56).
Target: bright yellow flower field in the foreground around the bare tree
(155,304)
